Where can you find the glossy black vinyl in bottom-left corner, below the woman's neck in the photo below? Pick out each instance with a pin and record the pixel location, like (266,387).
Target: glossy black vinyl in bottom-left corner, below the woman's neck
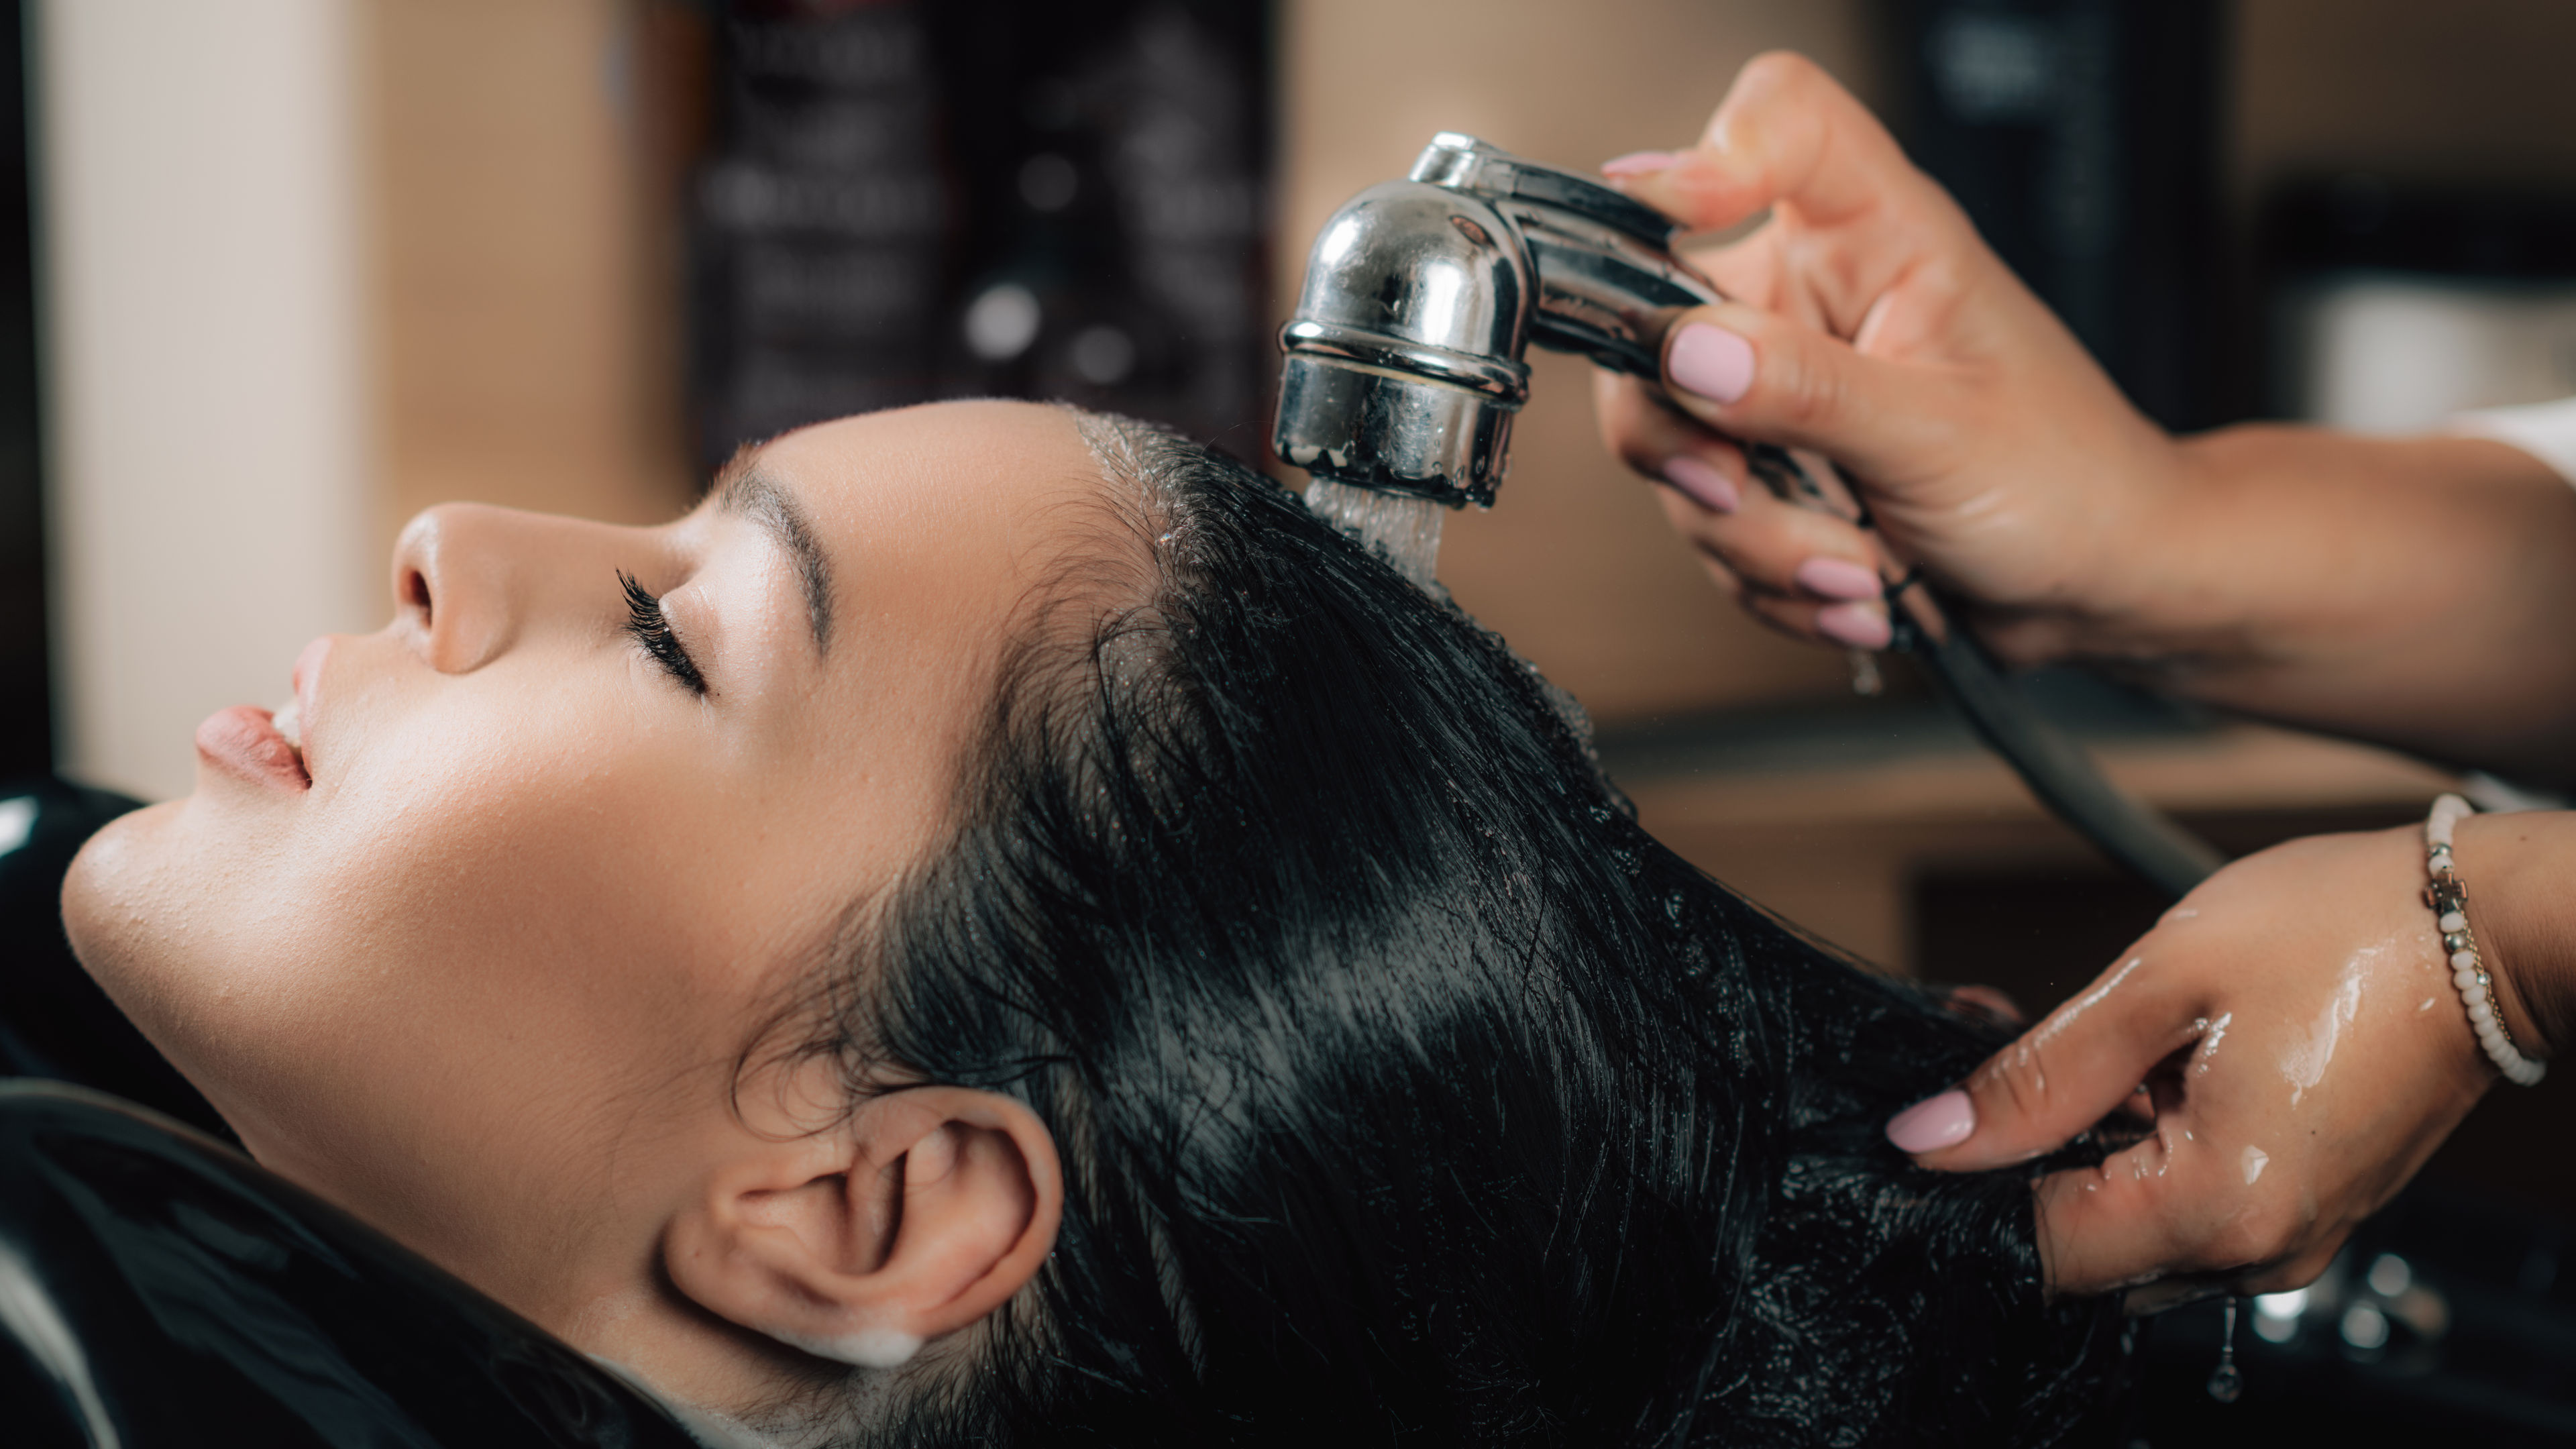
(164,1290)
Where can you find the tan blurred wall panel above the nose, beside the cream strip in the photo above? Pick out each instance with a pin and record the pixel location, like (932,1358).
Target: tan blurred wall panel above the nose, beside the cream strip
(527,311)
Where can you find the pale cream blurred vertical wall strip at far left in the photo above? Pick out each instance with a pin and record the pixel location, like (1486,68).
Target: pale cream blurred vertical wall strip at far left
(207,476)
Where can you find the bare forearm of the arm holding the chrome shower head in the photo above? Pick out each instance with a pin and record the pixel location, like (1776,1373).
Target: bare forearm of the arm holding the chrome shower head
(2415,592)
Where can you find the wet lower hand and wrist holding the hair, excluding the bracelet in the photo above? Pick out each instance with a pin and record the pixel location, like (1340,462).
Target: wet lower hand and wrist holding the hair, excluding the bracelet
(2302,1048)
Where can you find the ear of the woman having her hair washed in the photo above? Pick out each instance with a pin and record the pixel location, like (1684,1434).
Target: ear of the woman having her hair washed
(916,1218)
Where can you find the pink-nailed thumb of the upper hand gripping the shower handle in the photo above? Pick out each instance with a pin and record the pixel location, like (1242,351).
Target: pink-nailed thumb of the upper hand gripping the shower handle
(1756,375)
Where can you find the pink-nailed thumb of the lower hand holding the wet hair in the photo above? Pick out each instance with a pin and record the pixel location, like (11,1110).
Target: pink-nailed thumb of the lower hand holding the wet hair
(2057,1082)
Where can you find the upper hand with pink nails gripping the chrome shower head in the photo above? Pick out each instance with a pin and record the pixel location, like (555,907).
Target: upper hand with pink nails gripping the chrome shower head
(1874,326)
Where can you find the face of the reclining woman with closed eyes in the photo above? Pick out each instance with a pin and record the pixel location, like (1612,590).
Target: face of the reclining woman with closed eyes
(506,927)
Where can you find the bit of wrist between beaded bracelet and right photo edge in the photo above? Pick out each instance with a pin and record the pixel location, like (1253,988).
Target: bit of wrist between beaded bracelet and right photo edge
(2526,922)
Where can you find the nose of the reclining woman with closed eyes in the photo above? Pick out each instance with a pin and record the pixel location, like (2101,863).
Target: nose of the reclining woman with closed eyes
(470,579)
